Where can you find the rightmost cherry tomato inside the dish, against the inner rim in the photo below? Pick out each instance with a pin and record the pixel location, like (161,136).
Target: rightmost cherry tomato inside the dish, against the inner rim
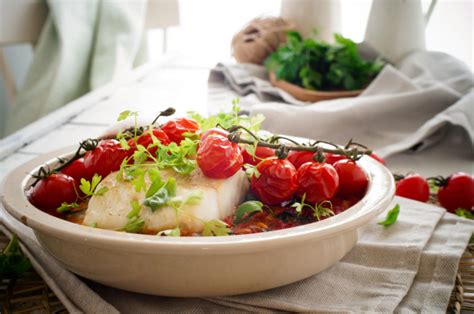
(352,179)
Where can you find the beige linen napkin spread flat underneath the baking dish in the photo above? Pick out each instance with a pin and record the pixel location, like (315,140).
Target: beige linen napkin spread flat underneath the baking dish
(388,270)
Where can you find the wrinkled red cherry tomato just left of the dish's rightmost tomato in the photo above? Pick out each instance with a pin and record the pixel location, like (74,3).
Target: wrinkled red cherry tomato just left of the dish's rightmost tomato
(318,181)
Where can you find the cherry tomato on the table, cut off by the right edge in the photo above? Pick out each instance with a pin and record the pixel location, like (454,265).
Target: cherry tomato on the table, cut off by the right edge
(457,192)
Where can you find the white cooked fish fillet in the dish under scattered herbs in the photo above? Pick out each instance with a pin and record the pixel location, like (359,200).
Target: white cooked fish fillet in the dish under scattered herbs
(219,198)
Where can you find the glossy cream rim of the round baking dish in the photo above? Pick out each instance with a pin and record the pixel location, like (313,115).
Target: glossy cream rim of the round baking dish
(380,193)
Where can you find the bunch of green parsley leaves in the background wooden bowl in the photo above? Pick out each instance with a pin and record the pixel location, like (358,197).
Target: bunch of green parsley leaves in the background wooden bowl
(317,65)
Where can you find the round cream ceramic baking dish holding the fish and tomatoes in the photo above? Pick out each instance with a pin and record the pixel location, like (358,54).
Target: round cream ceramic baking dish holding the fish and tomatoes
(197,266)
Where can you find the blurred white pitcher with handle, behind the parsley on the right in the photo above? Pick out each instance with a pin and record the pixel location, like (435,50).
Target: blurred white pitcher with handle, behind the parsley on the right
(397,27)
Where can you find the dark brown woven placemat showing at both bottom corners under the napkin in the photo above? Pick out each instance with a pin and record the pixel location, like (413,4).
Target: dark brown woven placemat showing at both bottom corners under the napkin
(29,293)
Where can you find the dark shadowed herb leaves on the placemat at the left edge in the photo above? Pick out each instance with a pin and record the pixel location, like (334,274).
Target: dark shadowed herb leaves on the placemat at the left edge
(12,260)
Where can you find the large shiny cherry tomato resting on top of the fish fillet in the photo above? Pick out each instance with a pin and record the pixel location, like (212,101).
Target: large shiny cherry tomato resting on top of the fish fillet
(218,157)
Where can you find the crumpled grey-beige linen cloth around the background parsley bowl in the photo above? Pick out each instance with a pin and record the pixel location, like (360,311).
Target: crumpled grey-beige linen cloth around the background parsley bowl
(409,105)
